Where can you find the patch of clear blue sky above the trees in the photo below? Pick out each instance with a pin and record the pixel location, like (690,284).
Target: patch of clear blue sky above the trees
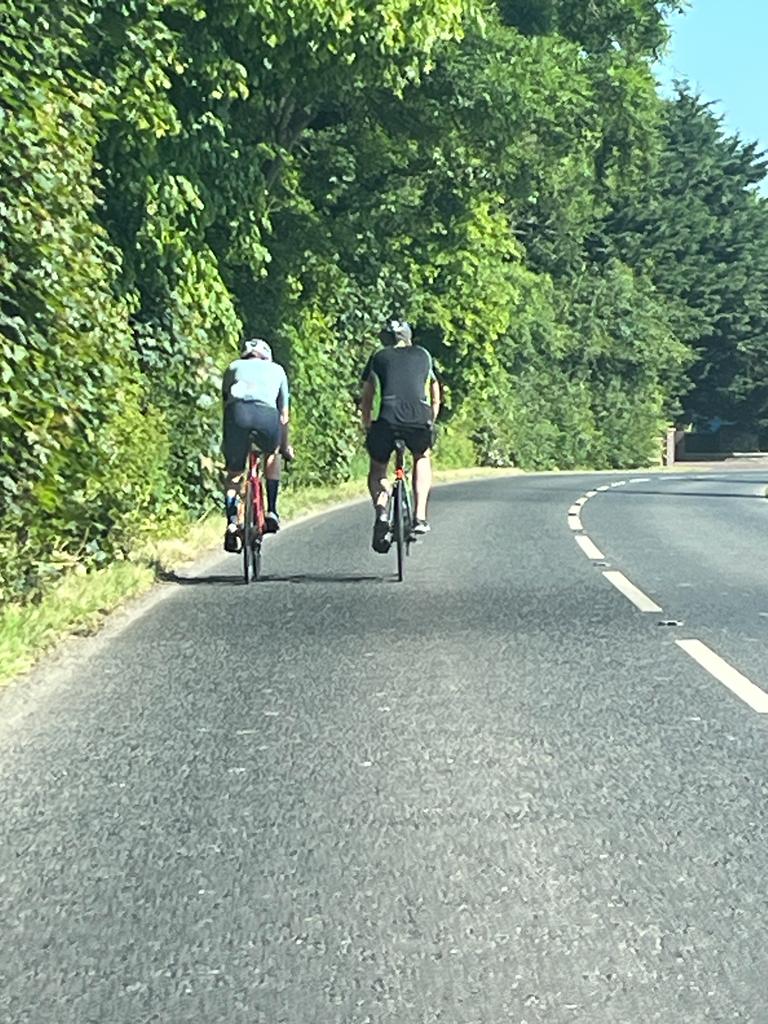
(721,47)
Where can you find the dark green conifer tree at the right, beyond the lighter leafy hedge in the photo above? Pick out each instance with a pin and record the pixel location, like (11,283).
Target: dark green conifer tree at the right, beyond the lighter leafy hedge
(700,231)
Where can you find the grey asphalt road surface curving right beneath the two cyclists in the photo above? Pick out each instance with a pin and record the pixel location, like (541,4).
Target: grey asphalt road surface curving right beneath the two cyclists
(497,793)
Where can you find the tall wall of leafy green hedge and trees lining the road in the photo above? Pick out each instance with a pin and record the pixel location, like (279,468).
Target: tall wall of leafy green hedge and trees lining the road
(175,174)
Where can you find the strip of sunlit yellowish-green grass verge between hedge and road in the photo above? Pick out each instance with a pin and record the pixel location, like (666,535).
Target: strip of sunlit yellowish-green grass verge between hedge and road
(79,605)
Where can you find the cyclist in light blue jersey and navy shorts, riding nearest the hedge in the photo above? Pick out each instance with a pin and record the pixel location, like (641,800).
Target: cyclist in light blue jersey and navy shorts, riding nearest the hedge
(257,401)
